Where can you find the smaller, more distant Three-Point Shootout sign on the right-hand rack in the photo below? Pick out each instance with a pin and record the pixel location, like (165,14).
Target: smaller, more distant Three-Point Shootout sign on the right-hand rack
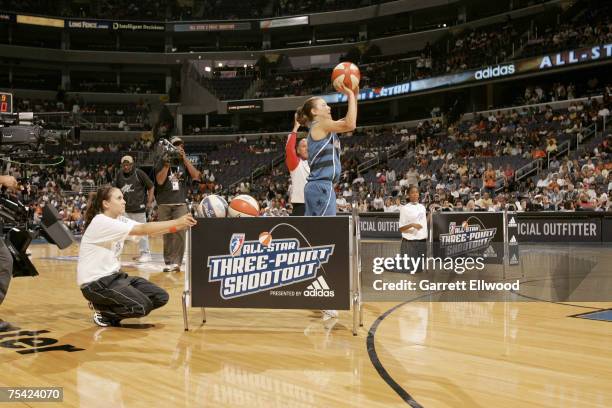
(478,234)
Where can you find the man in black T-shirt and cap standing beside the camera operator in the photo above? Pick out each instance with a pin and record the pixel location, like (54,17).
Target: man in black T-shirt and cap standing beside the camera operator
(137,189)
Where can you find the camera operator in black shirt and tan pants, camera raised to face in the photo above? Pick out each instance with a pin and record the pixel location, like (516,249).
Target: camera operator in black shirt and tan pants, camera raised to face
(172,181)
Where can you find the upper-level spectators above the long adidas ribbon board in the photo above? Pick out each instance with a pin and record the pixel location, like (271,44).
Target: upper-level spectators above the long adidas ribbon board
(464,50)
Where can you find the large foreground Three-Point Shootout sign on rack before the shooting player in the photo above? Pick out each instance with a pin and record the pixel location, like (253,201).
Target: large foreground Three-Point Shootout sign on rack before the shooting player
(271,262)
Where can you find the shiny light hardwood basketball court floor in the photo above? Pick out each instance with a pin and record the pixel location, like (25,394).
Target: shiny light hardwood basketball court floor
(439,354)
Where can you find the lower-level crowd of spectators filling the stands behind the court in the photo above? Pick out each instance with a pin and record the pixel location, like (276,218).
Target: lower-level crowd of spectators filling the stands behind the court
(467,165)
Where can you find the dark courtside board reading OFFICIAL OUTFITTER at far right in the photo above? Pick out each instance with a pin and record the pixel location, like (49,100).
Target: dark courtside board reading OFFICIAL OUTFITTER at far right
(551,229)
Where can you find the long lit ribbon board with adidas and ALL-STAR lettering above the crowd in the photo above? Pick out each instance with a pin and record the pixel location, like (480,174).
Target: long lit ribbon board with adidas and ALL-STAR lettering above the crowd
(533,64)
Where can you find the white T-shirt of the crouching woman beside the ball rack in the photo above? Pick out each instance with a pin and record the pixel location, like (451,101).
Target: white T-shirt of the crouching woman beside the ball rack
(101,247)
